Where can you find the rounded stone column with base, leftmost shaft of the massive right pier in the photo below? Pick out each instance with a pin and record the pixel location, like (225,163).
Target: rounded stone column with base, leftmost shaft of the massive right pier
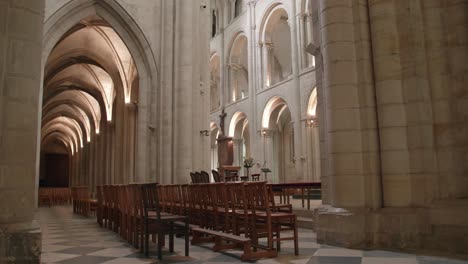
(352,138)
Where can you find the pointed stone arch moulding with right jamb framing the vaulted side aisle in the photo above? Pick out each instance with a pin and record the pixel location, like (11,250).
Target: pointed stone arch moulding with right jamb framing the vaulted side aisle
(69,15)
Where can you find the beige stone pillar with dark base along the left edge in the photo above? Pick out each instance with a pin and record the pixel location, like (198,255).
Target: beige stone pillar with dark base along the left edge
(20,111)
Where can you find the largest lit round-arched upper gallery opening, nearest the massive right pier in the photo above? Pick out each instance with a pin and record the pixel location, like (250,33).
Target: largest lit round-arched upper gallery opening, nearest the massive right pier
(276,45)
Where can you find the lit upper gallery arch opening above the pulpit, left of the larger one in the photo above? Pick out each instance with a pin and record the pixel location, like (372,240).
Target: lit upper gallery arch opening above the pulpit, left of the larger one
(238,69)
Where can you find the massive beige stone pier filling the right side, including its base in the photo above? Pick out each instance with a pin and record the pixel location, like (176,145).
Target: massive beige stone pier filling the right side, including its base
(395,148)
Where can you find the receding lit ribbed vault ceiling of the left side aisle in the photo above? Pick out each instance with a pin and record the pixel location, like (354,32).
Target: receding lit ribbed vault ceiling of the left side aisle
(86,74)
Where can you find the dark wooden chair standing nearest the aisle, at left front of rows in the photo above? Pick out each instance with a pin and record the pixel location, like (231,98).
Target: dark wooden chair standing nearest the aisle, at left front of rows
(161,223)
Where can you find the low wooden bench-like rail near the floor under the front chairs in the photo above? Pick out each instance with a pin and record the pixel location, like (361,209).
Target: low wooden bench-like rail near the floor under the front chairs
(239,242)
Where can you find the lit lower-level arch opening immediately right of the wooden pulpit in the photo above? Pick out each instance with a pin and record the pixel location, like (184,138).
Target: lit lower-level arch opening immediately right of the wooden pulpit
(239,131)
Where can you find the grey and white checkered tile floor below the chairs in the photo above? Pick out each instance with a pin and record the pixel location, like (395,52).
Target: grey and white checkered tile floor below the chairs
(71,239)
